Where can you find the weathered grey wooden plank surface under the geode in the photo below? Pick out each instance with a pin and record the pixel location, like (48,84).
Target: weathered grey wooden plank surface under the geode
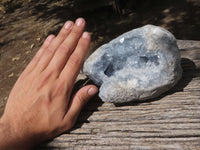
(171,121)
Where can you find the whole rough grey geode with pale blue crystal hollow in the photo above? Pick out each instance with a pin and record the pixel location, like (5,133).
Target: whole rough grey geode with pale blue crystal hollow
(138,65)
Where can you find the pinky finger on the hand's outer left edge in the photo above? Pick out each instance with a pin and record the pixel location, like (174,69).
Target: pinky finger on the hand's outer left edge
(38,55)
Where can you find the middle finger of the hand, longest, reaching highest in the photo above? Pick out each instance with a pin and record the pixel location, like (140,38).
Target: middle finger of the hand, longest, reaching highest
(66,48)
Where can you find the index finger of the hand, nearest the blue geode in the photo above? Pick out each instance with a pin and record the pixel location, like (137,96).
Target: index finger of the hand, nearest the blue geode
(76,60)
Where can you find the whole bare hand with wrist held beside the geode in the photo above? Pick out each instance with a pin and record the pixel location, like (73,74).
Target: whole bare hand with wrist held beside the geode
(40,106)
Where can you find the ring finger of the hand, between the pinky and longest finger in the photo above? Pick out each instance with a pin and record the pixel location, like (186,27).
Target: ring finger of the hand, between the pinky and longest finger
(51,49)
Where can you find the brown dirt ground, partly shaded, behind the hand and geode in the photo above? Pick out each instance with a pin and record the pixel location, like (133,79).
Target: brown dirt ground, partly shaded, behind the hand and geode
(24,26)
